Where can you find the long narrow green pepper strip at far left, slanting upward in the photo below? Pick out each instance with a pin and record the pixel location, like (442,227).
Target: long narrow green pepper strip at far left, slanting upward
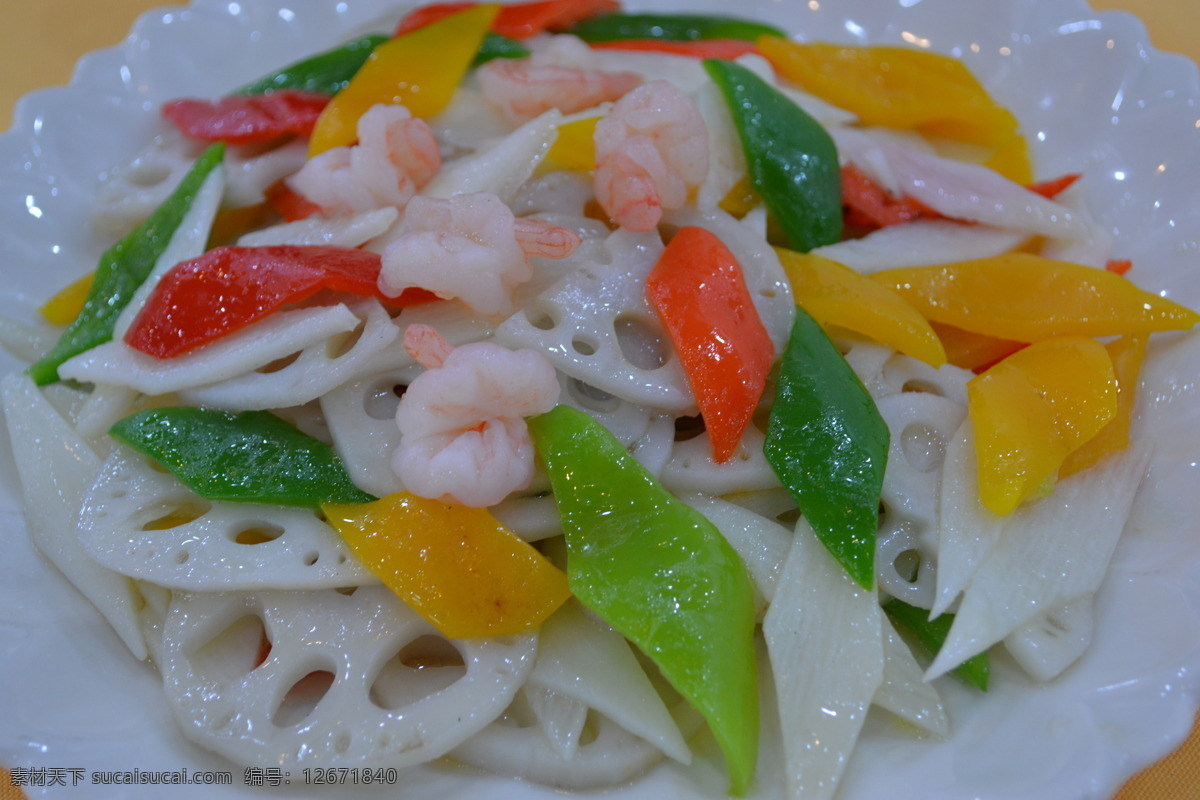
(123,269)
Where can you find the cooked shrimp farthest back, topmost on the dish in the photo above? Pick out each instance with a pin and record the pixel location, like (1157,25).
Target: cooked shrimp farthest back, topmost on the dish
(525,88)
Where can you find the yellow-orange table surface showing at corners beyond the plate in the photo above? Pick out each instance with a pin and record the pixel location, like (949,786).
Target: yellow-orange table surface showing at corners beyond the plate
(40,43)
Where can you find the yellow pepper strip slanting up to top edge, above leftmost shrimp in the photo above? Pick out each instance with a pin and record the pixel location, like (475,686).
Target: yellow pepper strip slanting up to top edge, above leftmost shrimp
(419,70)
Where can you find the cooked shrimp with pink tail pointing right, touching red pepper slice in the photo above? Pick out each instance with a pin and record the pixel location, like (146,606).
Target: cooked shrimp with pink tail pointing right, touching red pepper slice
(470,248)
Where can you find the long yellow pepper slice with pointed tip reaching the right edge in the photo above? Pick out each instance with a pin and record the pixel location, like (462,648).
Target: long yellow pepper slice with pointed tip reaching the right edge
(1028,298)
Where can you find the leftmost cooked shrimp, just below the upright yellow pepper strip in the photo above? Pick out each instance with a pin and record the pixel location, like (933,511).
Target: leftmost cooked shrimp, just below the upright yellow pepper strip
(395,157)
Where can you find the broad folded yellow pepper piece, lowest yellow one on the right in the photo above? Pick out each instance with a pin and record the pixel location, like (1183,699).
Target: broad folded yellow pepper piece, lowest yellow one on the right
(1033,411)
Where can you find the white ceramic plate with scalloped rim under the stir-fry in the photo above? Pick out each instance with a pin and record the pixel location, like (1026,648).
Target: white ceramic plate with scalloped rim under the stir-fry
(1093,97)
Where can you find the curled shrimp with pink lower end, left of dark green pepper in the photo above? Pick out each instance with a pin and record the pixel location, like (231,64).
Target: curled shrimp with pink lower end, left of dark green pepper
(651,148)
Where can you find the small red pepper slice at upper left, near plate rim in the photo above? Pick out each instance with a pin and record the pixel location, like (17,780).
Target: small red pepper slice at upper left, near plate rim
(239,119)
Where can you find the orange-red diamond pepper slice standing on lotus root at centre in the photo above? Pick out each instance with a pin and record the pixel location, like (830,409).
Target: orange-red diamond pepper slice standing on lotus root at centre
(700,294)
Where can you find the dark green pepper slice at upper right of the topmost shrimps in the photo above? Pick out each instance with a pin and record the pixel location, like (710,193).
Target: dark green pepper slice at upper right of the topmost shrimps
(791,160)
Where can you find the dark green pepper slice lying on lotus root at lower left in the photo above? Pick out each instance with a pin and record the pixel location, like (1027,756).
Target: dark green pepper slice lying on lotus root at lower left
(249,458)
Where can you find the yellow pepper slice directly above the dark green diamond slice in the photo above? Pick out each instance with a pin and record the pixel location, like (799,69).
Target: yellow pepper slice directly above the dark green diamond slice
(835,294)
